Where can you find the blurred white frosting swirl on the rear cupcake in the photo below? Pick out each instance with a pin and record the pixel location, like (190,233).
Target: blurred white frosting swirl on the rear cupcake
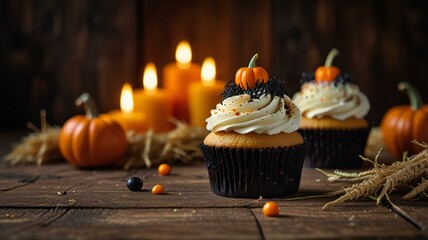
(337,100)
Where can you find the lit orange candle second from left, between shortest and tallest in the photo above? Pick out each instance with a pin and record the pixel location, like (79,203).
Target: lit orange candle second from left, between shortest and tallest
(153,102)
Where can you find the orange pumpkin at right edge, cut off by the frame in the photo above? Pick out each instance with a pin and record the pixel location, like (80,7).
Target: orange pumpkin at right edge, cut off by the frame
(405,123)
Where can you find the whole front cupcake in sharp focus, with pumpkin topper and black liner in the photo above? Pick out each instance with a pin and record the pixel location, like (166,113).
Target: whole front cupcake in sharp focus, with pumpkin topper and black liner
(253,148)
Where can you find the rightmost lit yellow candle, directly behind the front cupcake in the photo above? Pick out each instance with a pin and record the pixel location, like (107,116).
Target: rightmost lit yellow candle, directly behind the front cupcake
(204,95)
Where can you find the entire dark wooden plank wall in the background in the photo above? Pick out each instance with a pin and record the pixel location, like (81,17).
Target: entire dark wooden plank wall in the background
(51,51)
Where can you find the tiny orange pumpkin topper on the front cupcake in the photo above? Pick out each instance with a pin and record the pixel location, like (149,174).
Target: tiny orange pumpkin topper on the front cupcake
(247,77)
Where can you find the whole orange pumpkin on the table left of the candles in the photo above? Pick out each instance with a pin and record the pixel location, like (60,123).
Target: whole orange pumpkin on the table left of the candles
(91,141)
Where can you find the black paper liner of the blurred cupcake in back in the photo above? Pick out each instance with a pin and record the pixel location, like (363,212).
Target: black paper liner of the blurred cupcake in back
(335,148)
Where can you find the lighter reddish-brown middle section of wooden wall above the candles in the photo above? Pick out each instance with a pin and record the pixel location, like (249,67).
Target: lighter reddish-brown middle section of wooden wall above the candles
(229,31)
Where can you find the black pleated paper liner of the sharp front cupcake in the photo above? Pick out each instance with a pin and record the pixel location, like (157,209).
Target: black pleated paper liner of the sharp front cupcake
(251,173)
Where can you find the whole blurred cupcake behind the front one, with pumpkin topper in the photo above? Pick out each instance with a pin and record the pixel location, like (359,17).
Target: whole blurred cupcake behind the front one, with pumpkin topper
(333,111)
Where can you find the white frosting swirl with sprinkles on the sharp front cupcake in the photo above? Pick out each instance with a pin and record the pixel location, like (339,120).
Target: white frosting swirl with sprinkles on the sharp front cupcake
(264,115)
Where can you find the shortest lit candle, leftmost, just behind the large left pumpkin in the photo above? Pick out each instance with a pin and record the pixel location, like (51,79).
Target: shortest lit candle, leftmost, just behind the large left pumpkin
(127,118)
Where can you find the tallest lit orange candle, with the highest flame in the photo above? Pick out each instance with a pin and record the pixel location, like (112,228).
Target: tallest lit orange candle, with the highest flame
(177,79)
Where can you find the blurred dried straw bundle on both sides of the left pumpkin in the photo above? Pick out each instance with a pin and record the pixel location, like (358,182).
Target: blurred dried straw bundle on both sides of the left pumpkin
(145,150)
